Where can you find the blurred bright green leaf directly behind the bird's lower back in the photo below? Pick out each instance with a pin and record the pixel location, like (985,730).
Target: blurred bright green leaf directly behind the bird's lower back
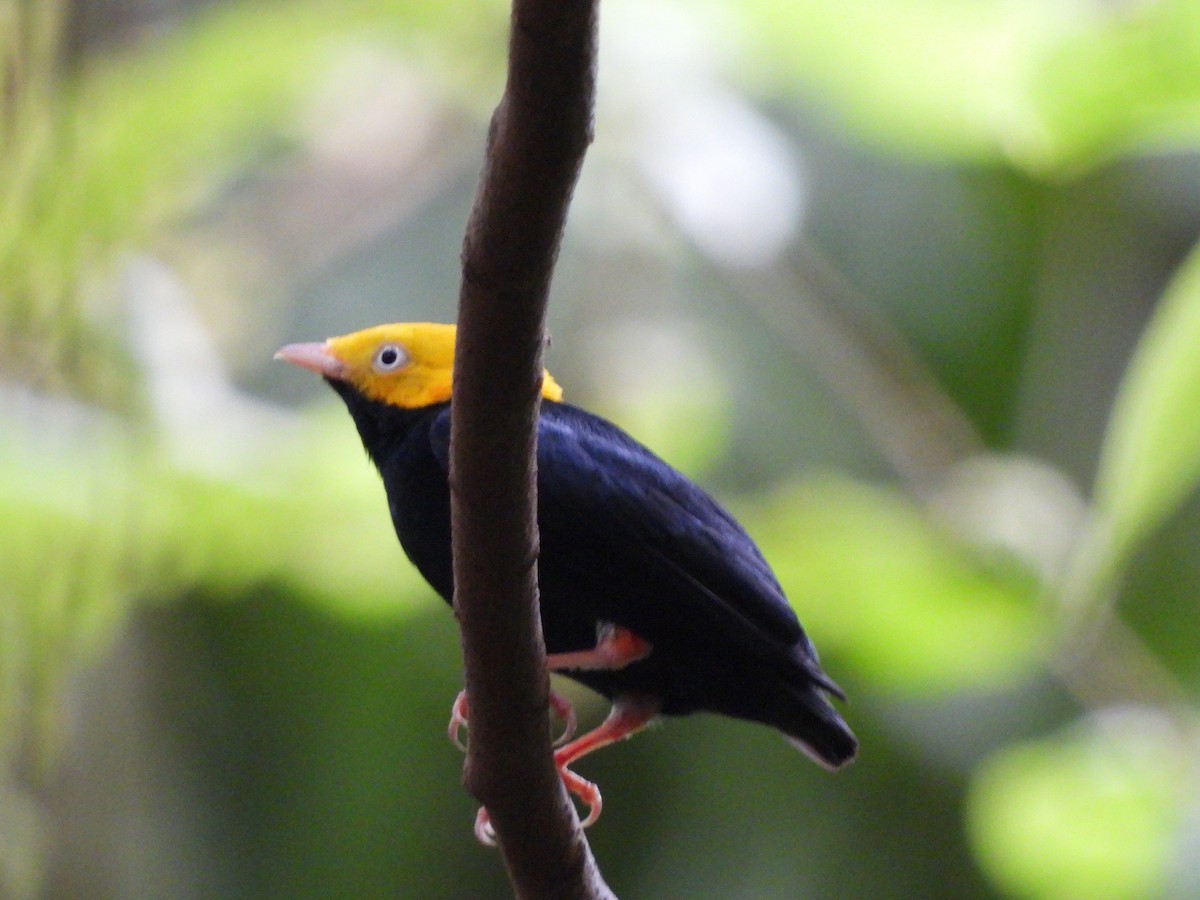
(880,585)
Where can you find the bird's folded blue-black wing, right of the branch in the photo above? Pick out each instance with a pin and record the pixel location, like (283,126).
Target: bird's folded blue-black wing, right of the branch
(597,483)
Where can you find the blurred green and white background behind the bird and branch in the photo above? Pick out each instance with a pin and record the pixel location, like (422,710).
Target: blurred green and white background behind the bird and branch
(907,284)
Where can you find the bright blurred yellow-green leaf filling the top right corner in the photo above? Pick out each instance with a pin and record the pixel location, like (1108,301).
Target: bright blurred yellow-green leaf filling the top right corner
(1051,87)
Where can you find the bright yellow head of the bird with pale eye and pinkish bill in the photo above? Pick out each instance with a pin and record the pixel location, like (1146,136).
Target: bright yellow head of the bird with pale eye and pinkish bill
(405,365)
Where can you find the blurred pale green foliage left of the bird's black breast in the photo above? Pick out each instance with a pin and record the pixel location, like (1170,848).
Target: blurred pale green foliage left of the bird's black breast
(92,521)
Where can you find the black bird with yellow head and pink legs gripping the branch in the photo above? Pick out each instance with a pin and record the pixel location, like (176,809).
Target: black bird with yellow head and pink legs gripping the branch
(652,595)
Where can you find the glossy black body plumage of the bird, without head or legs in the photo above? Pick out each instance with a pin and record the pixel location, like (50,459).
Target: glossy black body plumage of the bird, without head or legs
(627,539)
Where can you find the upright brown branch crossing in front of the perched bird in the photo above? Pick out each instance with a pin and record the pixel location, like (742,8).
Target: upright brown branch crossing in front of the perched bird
(537,142)
